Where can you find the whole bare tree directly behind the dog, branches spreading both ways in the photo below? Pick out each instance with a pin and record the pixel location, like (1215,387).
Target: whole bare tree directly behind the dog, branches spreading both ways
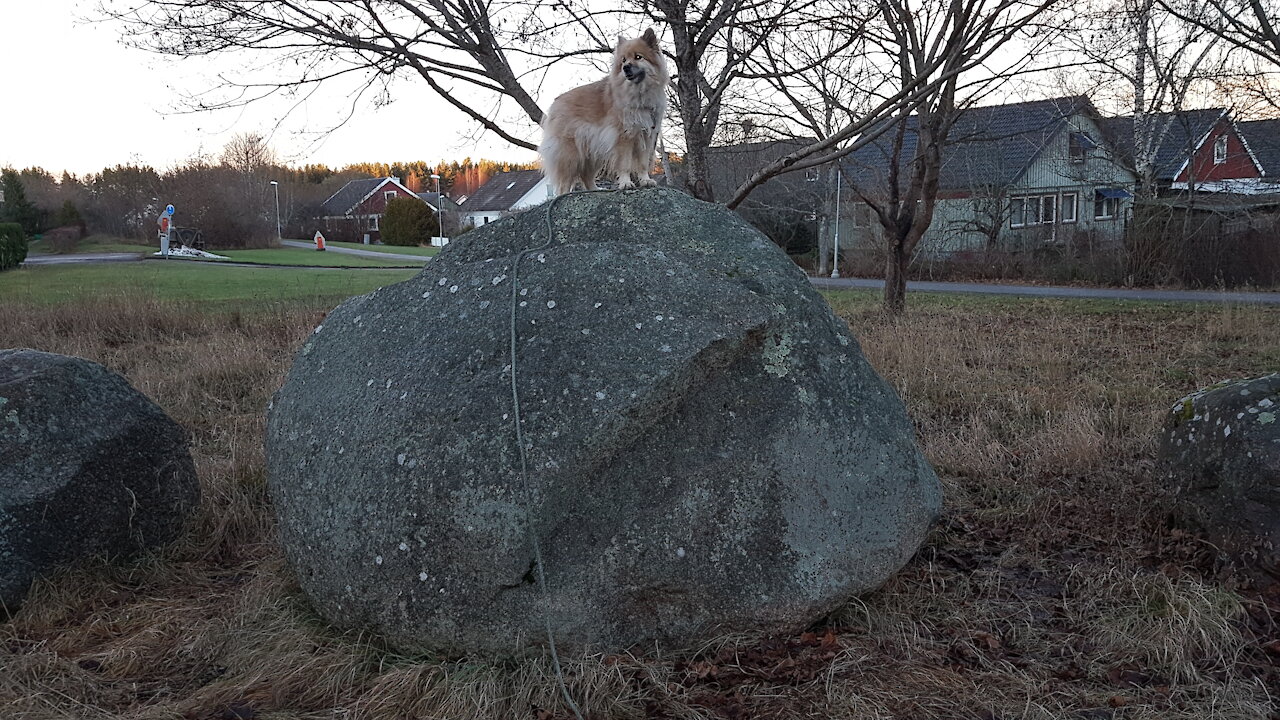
(483,56)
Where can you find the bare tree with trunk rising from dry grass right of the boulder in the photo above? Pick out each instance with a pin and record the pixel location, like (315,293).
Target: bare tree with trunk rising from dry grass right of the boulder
(924,62)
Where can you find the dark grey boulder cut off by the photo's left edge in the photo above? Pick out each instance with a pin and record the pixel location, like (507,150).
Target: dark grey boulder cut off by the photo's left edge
(89,467)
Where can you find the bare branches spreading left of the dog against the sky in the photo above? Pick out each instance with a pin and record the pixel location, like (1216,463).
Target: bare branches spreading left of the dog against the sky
(458,48)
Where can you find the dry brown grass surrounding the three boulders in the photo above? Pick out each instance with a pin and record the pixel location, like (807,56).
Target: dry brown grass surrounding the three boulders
(1052,590)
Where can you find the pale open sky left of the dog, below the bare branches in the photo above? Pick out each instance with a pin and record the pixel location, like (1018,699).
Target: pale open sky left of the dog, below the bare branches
(77,99)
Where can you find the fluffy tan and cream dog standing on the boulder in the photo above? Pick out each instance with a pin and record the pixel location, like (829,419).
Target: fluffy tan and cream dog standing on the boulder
(610,125)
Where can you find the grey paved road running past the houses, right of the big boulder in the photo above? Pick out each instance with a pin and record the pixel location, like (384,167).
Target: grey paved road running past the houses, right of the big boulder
(1086,293)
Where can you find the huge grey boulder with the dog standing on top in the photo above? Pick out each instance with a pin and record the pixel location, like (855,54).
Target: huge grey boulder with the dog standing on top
(708,450)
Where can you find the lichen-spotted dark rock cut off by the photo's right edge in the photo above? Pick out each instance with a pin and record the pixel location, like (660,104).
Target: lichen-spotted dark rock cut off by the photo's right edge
(1220,452)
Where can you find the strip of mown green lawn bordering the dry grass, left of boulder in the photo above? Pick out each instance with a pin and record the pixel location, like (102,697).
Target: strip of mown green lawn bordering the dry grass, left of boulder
(48,285)
